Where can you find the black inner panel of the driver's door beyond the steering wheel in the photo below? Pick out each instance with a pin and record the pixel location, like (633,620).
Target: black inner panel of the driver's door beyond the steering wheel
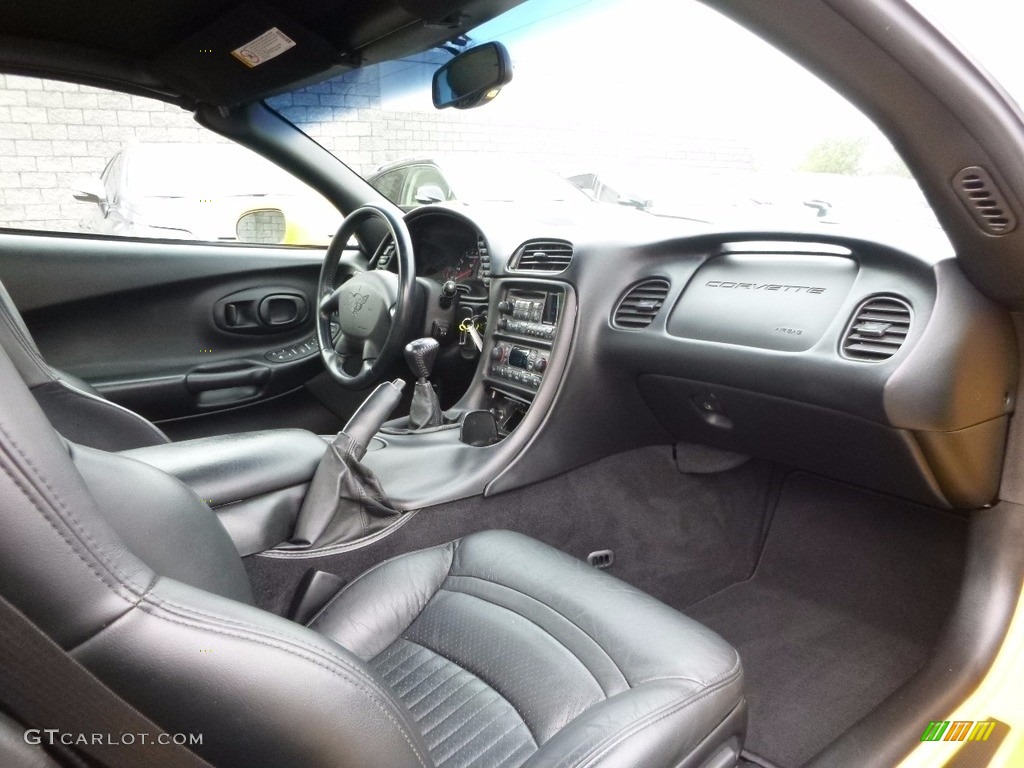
(179,331)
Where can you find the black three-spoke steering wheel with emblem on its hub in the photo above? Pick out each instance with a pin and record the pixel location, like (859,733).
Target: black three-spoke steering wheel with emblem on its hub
(374,309)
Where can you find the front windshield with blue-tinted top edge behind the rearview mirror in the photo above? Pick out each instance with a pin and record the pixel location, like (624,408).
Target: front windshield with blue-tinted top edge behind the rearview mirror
(701,121)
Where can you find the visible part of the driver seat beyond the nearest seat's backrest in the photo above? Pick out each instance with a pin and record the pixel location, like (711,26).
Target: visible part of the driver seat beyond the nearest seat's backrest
(75,409)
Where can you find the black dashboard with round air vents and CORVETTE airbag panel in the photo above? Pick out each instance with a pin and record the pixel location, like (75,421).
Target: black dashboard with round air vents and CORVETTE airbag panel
(843,357)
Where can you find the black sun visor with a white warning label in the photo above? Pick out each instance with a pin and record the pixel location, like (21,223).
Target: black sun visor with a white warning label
(252,52)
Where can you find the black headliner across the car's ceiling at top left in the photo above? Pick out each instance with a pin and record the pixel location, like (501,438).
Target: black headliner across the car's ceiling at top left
(160,49)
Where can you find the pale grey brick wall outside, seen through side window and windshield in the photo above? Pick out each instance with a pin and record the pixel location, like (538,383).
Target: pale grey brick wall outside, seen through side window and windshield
(55,137)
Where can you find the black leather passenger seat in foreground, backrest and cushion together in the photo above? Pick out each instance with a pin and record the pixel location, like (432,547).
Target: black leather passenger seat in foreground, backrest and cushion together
(494,652)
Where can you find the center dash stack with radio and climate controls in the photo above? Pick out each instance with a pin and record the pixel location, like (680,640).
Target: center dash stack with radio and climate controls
(527,328)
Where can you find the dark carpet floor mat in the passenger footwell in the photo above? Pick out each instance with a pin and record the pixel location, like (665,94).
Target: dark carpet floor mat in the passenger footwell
(849,596)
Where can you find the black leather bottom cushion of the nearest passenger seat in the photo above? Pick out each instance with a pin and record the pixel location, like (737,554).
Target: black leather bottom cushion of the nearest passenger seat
(508,653)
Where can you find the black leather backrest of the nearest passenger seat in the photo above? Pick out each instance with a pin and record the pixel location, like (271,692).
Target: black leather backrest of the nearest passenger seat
(89,553)
